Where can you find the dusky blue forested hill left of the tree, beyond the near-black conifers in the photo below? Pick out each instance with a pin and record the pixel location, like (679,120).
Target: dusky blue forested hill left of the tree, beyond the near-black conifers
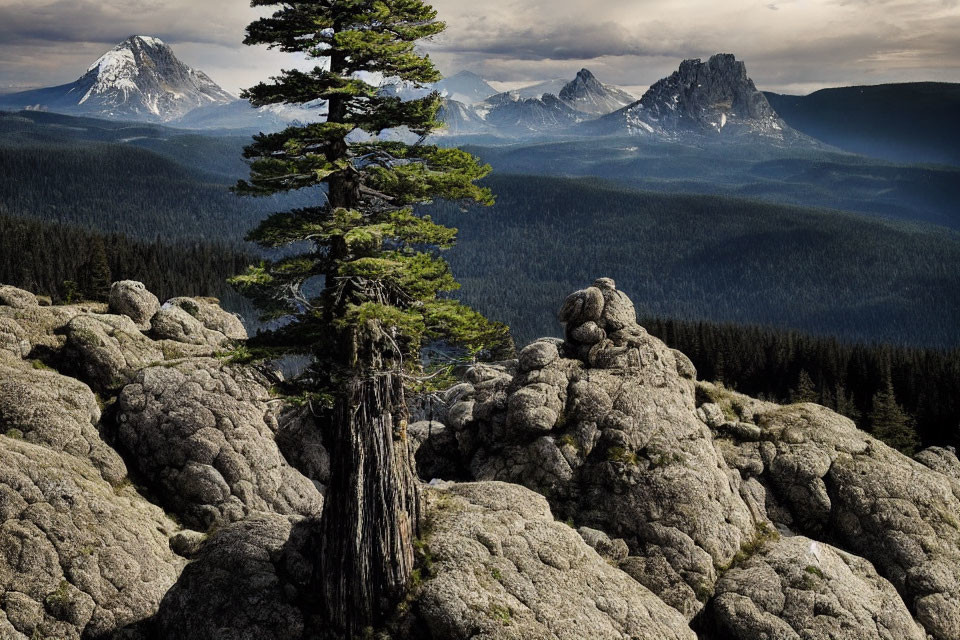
(114,188)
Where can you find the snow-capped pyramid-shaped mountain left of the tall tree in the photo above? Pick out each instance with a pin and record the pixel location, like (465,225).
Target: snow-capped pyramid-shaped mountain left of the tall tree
(139,79)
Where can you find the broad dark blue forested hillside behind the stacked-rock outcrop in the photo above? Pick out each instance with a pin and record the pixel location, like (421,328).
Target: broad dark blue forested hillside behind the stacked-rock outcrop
(705,257)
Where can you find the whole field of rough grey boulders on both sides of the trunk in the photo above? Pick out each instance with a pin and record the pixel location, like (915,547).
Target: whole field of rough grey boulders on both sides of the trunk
(590,488)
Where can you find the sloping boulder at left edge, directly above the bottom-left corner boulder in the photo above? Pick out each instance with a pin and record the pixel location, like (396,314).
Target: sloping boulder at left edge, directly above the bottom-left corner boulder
(43,407)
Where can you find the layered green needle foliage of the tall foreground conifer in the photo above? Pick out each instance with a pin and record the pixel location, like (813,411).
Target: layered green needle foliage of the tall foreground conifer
(368,256)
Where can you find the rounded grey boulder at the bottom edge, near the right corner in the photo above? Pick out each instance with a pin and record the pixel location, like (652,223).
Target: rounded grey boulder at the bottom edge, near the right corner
(798,588)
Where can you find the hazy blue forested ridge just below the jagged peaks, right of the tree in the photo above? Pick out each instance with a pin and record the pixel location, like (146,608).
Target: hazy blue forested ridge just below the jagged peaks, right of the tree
(806,177)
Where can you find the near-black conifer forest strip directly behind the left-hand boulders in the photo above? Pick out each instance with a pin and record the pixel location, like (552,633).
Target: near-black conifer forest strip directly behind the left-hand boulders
(65,262)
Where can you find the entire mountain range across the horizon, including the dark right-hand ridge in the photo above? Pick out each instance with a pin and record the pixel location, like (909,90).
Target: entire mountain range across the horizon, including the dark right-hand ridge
(142,80)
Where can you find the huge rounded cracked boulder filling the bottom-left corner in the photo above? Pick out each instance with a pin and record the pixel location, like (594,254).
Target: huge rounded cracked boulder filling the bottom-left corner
(79,558)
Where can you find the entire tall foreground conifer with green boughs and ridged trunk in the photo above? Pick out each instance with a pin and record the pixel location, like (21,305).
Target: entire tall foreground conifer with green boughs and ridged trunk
(369,292)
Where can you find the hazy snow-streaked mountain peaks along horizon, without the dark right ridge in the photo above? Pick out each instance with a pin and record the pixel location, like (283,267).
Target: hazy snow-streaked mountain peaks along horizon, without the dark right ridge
(141,79)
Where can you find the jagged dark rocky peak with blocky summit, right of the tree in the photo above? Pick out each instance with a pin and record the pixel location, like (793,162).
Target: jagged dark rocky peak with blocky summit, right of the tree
(714,97)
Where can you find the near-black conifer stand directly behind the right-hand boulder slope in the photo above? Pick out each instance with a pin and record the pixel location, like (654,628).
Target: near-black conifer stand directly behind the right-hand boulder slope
(893,392)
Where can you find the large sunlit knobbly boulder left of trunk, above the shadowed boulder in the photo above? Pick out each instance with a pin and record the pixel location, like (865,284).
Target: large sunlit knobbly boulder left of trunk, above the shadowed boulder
(201,433)
